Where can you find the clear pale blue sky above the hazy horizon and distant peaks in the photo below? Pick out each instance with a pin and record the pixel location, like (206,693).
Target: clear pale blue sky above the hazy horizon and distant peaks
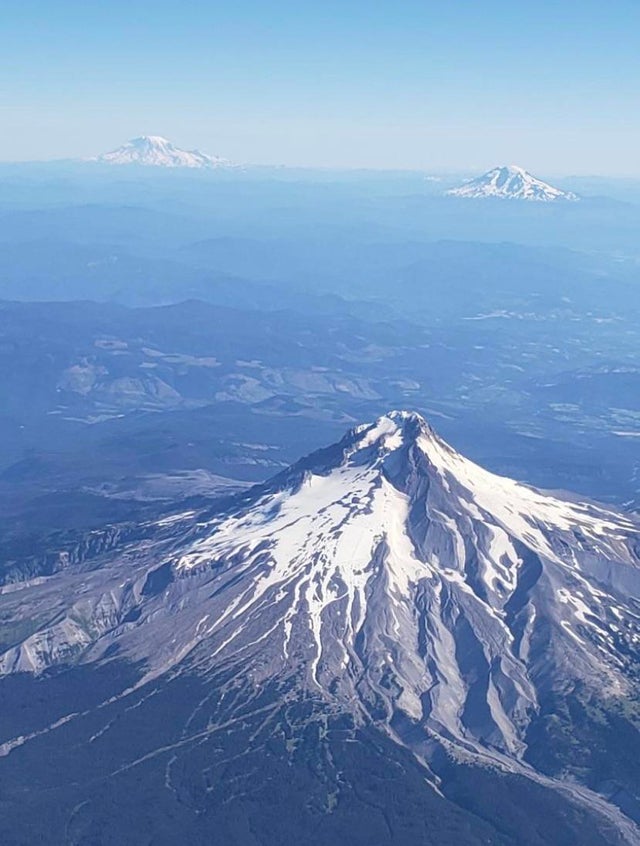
(435,85)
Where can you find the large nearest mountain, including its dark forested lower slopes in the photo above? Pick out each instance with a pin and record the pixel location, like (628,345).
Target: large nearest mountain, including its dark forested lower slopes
(386,643)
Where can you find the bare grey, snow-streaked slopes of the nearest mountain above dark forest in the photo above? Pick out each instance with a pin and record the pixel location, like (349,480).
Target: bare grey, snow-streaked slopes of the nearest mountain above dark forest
(385,583)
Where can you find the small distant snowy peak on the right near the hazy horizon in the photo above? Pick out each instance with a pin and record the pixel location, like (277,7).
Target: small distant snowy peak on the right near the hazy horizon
(510,183)
